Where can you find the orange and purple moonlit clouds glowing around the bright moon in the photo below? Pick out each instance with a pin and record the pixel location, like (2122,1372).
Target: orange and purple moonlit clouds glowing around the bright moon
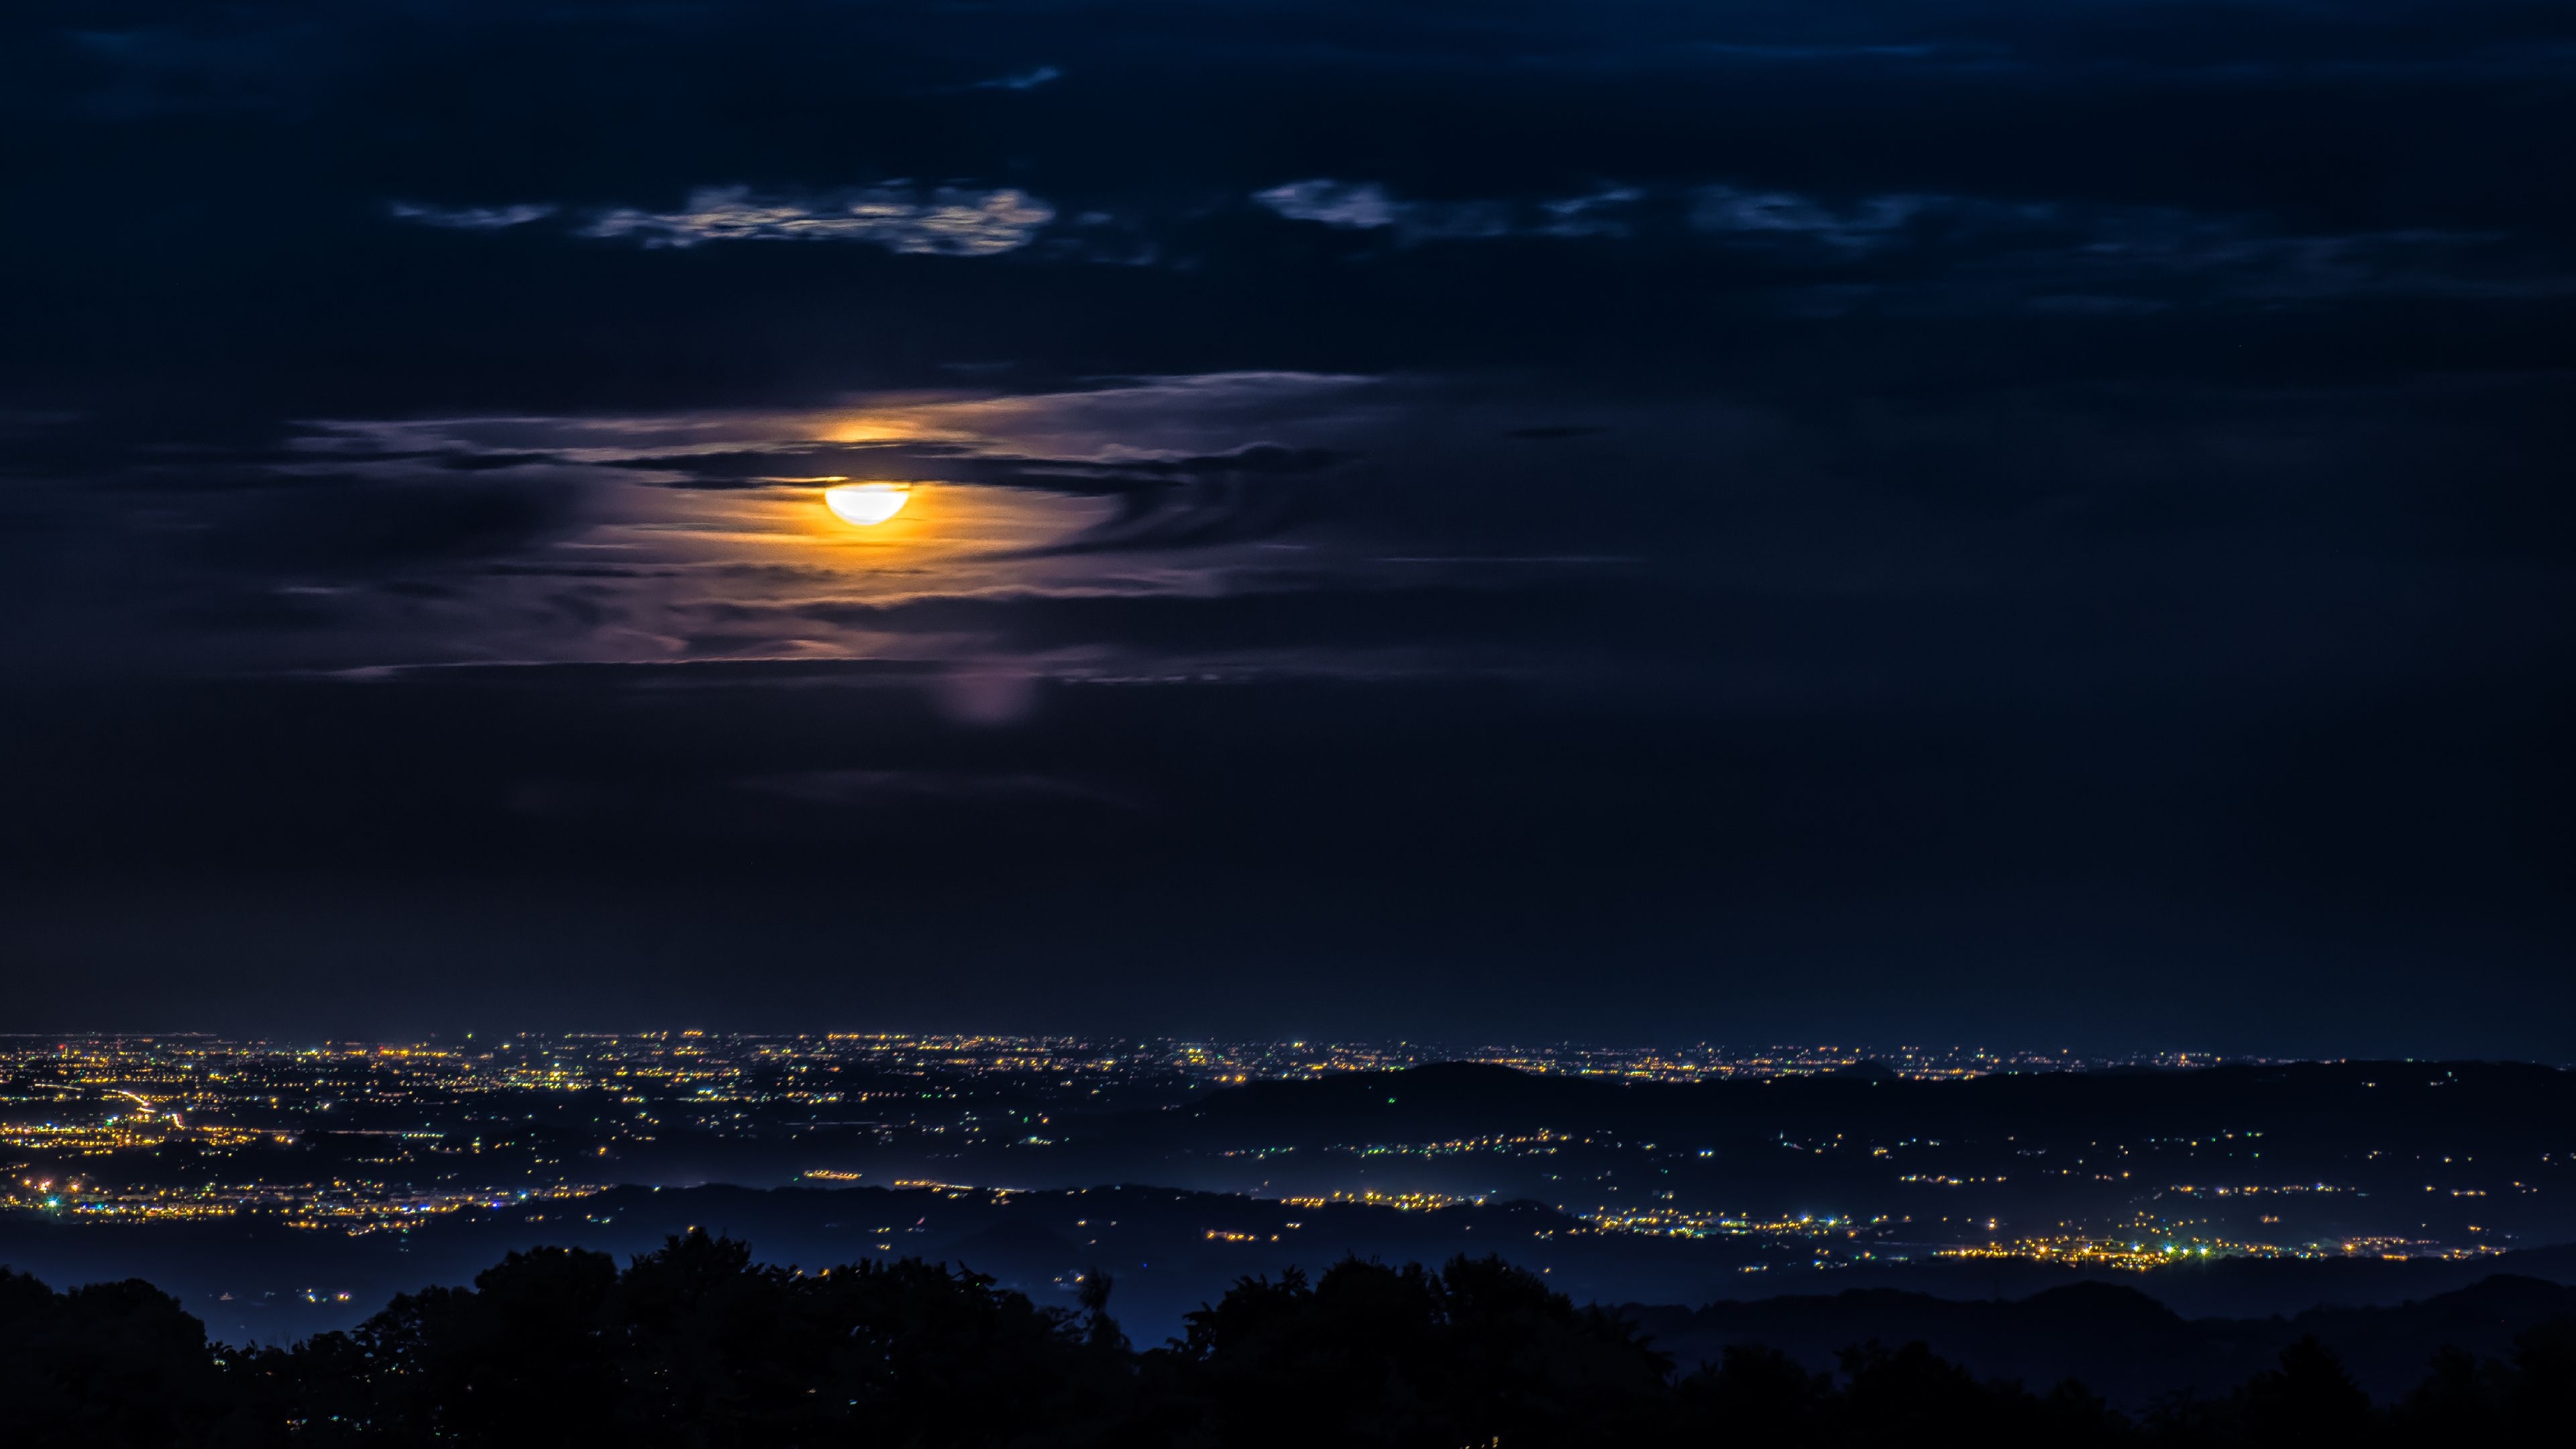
(728,569)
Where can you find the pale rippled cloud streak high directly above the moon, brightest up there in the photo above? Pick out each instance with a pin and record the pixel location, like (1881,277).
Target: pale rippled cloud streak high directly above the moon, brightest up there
(947,223)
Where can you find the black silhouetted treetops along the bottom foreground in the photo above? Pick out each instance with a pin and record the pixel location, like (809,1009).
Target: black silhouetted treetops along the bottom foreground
(702,1347)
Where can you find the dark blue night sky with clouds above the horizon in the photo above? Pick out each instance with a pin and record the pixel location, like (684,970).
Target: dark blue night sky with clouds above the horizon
(1658,522)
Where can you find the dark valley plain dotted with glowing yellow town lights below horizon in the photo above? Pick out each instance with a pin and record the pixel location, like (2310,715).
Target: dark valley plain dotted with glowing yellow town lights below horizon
(383,1138)
